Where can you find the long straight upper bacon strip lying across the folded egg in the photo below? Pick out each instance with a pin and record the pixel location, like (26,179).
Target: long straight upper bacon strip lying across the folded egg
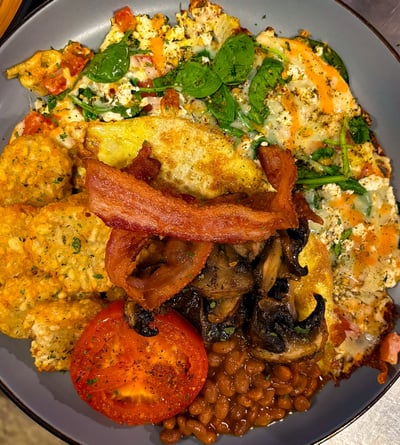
(124,202)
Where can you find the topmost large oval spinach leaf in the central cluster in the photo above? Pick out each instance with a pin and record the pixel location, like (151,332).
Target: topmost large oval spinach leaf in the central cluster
(234,60)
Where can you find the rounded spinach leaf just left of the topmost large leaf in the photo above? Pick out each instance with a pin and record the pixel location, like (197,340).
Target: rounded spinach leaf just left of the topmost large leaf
(197,79)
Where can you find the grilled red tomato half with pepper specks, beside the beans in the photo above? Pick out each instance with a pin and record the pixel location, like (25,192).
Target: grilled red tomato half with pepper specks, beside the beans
(133,379)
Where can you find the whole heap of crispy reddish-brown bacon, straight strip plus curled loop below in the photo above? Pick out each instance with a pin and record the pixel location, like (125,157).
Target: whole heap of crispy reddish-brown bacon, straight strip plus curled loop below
(126,201)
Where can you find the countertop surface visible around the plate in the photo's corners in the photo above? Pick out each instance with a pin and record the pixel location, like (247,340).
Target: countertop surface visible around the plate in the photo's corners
(379,425)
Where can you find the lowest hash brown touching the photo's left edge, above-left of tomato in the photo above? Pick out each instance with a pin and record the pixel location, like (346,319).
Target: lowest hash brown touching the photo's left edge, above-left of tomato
(19,295)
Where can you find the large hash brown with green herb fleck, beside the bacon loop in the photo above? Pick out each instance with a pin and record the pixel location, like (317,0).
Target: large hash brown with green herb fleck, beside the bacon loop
(68,242)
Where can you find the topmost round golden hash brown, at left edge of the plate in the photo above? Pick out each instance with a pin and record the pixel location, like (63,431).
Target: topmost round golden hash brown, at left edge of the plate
(34,170)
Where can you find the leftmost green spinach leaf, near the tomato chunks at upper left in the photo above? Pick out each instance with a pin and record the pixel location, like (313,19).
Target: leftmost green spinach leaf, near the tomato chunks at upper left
(111,64)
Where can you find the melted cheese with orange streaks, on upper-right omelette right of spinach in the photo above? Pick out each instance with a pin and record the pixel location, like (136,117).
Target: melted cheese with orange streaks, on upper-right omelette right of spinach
(310,107)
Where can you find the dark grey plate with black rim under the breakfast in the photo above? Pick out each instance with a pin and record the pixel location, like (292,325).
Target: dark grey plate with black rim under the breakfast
(375,72)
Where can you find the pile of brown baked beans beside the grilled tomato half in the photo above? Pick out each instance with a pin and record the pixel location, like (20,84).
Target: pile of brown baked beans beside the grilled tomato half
(242,392)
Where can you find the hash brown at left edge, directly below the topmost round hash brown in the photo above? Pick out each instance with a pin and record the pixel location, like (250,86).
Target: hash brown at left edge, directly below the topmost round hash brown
(14,227)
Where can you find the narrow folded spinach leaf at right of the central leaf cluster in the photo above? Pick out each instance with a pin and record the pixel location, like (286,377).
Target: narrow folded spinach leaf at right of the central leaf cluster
(266,78)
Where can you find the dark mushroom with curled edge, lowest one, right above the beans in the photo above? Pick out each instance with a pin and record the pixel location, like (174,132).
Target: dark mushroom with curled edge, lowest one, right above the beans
(277,337)
